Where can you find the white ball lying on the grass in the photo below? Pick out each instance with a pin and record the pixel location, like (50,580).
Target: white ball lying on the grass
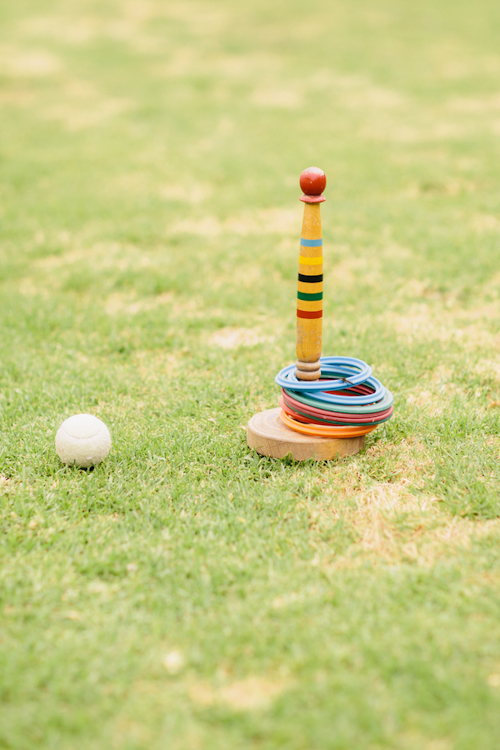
(83,440)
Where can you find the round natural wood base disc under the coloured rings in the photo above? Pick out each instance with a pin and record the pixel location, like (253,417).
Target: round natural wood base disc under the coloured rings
(271,437)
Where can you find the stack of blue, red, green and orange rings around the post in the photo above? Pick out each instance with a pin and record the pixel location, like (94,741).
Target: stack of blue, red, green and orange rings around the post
(347,401)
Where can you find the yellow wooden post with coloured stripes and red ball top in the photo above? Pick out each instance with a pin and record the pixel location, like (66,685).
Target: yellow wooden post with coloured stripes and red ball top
(310,284)
